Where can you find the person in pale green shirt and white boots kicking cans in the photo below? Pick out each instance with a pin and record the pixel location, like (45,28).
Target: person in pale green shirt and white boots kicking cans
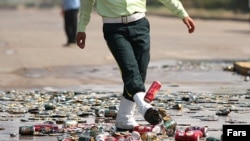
(126,30)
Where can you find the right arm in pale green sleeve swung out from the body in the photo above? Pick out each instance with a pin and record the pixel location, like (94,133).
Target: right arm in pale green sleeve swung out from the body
(176,7)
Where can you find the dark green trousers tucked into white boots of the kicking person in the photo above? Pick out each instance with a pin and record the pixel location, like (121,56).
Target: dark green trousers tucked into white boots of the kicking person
(130,46)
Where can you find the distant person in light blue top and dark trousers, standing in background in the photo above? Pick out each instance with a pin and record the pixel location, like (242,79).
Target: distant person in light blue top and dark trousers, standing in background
(70,10)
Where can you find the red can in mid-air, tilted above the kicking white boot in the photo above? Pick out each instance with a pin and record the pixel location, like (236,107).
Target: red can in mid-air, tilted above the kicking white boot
(151,93)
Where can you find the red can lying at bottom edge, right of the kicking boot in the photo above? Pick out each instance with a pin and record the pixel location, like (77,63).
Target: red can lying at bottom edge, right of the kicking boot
(194,135)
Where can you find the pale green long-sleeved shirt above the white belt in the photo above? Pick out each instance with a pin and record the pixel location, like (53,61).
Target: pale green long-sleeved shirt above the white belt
(118,8)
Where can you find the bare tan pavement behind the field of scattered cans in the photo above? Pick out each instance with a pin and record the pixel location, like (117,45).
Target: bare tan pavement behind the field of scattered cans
(32,55)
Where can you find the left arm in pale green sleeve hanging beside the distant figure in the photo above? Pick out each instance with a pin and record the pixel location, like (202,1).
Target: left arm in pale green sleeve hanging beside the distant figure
(84,18)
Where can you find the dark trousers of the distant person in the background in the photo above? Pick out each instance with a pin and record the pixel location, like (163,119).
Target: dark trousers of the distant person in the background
(70,24)
